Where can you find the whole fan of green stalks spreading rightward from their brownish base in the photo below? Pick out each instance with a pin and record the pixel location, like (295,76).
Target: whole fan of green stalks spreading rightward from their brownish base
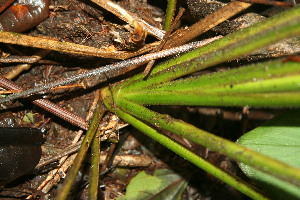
(275,83)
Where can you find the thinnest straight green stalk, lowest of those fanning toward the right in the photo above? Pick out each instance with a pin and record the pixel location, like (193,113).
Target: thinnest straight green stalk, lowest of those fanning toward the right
(230,179)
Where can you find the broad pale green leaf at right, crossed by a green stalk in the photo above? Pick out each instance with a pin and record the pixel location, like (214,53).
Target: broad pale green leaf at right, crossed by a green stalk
(279,139)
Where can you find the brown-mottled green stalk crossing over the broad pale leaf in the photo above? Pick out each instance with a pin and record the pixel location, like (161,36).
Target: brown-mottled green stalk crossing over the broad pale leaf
(215,143)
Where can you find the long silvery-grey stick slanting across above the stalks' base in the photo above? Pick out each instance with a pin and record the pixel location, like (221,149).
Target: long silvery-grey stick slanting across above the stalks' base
(110,71)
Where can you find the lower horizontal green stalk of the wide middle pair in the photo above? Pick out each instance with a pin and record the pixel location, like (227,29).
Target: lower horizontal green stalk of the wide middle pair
(220,99)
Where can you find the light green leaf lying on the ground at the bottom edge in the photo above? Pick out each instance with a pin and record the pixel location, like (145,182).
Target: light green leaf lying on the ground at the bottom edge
(163,184)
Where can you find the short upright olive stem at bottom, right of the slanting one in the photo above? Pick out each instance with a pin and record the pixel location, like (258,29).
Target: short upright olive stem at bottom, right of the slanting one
(95,168)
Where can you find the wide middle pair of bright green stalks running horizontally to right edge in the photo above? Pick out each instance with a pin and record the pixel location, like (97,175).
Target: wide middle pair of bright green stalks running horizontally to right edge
(268,84)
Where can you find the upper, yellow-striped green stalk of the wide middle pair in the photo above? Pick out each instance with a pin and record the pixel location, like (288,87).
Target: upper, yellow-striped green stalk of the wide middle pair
(253,75)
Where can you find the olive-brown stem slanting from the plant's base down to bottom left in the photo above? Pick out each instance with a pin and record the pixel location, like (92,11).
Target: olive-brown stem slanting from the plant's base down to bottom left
(71,175)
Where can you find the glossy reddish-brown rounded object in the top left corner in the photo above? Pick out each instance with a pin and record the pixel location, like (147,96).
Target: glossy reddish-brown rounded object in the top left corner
(23,15)
